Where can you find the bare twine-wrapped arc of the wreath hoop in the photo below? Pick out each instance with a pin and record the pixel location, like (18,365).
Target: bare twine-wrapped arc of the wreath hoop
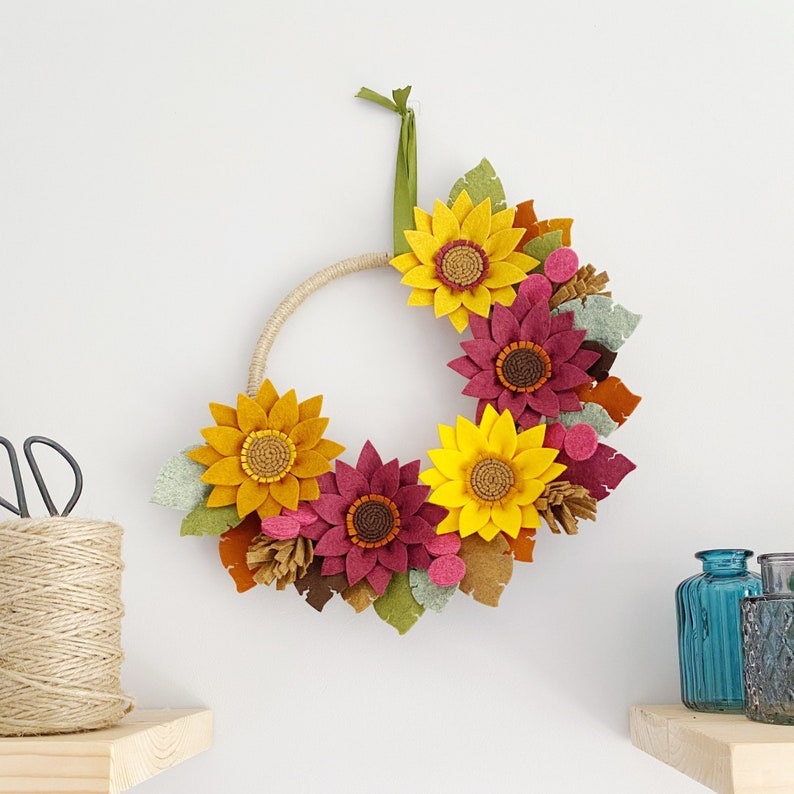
(256,372)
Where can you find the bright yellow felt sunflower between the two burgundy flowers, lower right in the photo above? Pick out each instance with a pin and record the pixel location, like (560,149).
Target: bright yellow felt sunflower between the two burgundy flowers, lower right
(489,476)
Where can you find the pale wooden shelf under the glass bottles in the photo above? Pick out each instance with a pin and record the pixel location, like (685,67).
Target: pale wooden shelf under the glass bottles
(726,752)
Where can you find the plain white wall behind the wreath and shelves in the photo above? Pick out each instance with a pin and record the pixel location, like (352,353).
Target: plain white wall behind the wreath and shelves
(170,170)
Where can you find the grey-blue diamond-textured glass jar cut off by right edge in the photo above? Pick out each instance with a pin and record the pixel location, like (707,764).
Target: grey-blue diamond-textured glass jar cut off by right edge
(768,635)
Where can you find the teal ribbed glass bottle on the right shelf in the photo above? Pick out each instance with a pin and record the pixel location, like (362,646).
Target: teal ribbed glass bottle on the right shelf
(709,630)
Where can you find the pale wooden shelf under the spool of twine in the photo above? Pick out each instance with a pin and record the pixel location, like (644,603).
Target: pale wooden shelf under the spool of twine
(105,761)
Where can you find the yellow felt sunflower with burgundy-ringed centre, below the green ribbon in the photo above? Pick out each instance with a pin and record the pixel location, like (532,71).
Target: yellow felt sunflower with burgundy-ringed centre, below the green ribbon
(463,259)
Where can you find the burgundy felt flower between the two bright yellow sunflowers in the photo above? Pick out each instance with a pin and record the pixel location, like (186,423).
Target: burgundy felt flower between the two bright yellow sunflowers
(526,361)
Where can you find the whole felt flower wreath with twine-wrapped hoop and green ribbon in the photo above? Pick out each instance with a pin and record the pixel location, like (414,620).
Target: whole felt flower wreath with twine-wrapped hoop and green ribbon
(543,335)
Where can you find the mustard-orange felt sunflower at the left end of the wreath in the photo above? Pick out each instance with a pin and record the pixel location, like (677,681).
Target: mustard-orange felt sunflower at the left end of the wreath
(267,453)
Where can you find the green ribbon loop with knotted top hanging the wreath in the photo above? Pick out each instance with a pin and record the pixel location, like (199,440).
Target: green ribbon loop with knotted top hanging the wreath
(405,198)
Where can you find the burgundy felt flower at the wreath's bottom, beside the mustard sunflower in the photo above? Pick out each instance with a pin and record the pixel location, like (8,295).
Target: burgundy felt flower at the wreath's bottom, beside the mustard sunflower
(373,520)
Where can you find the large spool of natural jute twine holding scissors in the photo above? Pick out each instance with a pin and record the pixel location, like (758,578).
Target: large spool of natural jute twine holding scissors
(60,626)
